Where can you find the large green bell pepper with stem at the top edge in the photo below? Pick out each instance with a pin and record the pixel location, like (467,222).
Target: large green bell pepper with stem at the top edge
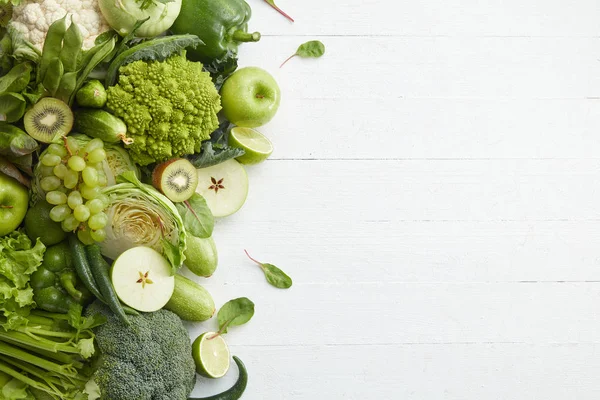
(221,24)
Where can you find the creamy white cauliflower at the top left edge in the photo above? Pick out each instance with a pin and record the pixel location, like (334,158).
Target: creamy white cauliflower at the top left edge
(33,18)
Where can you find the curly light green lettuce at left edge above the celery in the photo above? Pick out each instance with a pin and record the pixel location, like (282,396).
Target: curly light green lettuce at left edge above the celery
(18,260)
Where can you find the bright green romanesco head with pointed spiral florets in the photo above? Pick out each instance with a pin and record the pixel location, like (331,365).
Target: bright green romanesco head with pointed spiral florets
(169,107)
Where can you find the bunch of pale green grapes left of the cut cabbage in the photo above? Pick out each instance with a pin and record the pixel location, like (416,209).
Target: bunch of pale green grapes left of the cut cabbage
(72,178)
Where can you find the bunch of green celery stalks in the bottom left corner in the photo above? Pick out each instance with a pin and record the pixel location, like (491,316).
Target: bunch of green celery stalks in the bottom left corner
(48,354)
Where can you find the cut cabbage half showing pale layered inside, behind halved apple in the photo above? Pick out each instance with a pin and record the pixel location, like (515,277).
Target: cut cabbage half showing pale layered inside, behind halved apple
(138,215)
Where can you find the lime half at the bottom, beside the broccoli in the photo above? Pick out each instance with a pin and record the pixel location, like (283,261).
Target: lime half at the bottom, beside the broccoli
(211,355)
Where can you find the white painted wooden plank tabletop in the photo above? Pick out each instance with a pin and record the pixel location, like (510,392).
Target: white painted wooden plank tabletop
(434,193)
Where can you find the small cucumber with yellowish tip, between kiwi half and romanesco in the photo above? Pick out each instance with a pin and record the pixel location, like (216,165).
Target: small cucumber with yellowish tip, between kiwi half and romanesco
(102,125)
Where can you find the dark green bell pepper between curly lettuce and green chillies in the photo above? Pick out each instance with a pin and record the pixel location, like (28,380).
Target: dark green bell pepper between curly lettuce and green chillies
(55,284)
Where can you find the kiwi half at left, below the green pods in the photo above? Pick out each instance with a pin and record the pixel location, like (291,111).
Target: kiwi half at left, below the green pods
(48,120)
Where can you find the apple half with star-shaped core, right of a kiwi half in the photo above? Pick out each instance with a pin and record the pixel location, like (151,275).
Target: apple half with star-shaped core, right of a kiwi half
(224,187)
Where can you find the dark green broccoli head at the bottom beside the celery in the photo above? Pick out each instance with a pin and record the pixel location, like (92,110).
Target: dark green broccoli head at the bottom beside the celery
(149,360)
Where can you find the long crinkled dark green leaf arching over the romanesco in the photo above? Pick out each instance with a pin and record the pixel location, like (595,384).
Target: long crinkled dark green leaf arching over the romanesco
(158,49)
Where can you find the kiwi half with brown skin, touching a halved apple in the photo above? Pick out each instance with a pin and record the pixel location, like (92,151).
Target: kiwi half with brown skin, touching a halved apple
(177,179)
